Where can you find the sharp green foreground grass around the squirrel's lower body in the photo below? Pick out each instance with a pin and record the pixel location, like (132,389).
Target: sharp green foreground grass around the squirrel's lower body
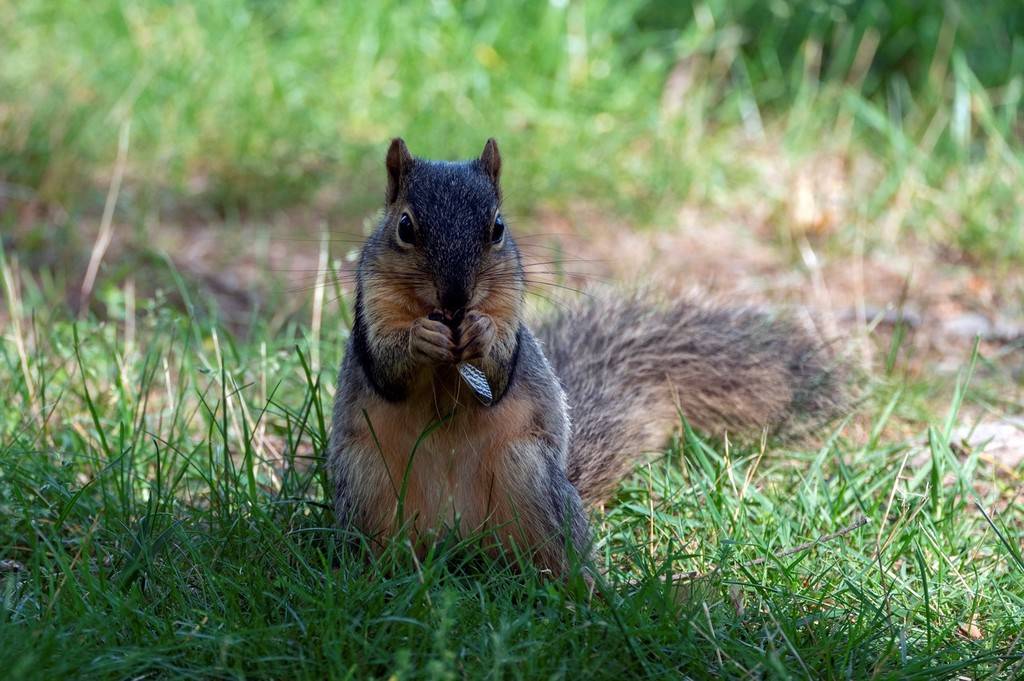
(164,502)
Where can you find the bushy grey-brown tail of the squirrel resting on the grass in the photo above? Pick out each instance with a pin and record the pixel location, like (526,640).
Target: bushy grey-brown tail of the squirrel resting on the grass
(628,366)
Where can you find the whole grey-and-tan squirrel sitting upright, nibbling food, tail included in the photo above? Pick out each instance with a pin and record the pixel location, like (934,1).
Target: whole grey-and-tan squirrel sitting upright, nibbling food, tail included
(568,408)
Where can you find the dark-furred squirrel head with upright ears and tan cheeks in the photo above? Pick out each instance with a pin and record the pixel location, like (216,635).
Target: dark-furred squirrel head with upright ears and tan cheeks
(443,244)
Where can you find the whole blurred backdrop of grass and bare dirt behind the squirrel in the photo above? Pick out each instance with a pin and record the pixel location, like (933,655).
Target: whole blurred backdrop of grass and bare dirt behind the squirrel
(863,158)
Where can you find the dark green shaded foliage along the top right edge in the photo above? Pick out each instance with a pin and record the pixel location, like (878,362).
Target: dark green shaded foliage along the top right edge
(911,35)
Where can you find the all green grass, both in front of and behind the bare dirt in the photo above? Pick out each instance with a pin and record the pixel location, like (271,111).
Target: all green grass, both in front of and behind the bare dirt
(164,509)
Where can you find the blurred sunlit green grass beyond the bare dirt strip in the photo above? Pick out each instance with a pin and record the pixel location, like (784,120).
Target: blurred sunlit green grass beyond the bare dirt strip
(250,106)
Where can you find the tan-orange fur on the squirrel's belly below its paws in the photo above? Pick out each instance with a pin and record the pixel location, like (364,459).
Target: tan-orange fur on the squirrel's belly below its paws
(458,476)
